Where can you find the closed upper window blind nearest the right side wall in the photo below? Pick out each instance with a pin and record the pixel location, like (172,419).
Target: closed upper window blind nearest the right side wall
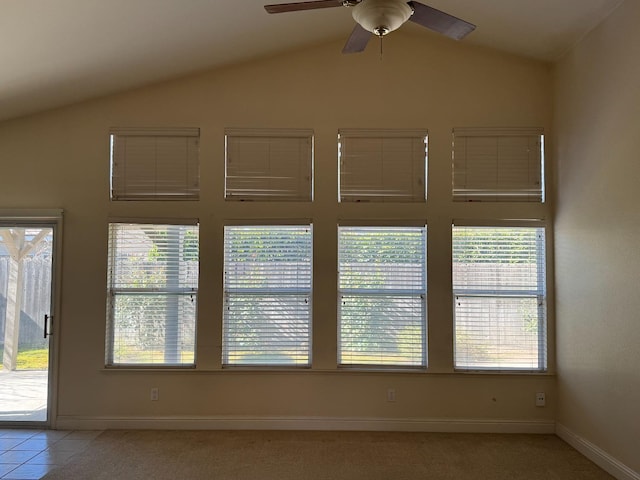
(498,164)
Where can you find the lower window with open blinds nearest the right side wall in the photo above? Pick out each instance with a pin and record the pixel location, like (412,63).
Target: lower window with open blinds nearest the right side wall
(500,298)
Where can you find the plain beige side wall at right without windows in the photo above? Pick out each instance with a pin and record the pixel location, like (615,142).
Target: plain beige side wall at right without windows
(597,232)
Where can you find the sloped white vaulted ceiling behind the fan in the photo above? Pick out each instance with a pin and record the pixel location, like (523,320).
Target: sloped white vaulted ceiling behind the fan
(56,52)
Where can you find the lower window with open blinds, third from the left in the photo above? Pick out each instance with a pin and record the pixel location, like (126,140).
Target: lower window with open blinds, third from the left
(382,296)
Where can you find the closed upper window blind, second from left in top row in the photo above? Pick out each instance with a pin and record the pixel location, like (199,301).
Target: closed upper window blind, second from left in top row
(269,164)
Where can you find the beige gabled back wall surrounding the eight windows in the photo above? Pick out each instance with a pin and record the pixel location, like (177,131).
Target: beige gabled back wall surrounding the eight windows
(60,159)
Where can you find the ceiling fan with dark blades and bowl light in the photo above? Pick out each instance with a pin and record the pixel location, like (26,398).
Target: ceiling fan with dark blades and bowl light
(379,17)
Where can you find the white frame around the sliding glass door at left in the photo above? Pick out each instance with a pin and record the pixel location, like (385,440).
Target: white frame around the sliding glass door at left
(46,218)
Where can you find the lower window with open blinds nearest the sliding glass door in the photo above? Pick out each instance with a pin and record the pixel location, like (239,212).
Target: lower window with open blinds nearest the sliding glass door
(152,291)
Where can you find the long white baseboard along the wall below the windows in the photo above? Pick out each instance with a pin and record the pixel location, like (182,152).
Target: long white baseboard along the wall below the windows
(65,422)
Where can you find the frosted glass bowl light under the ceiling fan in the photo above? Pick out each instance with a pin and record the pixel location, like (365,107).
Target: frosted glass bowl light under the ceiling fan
(381,16)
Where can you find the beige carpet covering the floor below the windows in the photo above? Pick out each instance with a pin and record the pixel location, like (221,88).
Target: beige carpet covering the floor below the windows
(270,455)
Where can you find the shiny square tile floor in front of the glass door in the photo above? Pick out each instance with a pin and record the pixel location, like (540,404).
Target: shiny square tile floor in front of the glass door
(31,454)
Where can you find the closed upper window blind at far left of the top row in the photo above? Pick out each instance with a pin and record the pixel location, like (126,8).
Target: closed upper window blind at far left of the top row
(155,164)
